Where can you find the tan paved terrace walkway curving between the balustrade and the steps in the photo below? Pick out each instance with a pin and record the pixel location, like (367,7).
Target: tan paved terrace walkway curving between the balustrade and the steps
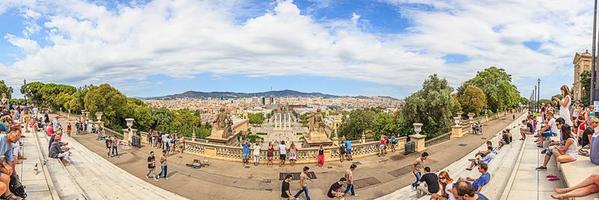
(375,177)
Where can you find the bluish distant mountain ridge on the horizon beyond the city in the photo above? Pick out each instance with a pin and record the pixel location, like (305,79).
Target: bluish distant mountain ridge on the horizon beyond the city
(232,95)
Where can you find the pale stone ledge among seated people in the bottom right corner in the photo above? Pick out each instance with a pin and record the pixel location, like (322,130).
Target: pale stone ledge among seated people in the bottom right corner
(574,172)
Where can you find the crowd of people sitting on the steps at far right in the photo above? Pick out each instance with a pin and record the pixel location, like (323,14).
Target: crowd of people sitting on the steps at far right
(571,134)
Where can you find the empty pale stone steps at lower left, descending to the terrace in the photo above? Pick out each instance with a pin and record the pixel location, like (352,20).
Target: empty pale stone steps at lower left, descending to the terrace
(90,176)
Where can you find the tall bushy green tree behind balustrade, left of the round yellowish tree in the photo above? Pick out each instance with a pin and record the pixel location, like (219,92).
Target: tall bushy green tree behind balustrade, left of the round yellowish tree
(430,106)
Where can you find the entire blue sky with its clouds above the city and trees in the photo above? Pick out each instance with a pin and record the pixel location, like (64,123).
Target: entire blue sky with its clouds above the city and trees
(344,47)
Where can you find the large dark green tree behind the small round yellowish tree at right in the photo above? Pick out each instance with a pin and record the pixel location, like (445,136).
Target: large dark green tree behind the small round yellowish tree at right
(497,85)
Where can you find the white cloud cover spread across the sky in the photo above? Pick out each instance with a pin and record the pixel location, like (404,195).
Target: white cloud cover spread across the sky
(91,44)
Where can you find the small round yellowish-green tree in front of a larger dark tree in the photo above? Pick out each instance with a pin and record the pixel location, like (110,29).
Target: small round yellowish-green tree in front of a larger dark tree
(473,99)
